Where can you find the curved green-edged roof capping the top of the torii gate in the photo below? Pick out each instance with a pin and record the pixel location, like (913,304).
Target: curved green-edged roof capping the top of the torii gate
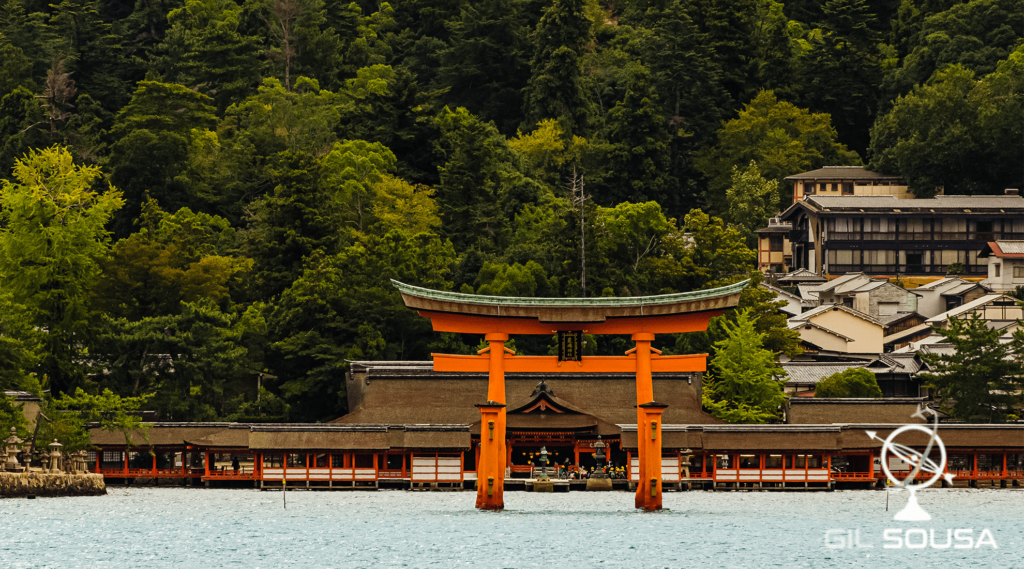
(593,302)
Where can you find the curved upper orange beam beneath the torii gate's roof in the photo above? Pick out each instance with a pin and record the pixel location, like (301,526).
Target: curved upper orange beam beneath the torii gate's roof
(672,324)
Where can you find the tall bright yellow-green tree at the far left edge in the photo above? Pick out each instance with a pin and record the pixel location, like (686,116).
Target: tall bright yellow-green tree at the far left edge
(53,238)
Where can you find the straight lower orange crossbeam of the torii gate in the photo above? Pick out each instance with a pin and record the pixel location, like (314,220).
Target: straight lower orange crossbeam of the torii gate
(590,365)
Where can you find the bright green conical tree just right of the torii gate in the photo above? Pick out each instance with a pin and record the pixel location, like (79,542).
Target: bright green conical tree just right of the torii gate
(743,387)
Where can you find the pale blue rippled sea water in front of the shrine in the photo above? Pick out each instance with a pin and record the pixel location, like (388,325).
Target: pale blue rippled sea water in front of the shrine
(186,529)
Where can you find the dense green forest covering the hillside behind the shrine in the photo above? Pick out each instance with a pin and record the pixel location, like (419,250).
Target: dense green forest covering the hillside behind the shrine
(202,197)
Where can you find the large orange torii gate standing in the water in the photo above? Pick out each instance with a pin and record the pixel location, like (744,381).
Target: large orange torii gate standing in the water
(498,318)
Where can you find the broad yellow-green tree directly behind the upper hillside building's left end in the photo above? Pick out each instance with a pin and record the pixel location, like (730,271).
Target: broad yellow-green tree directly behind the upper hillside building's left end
(781,138)
